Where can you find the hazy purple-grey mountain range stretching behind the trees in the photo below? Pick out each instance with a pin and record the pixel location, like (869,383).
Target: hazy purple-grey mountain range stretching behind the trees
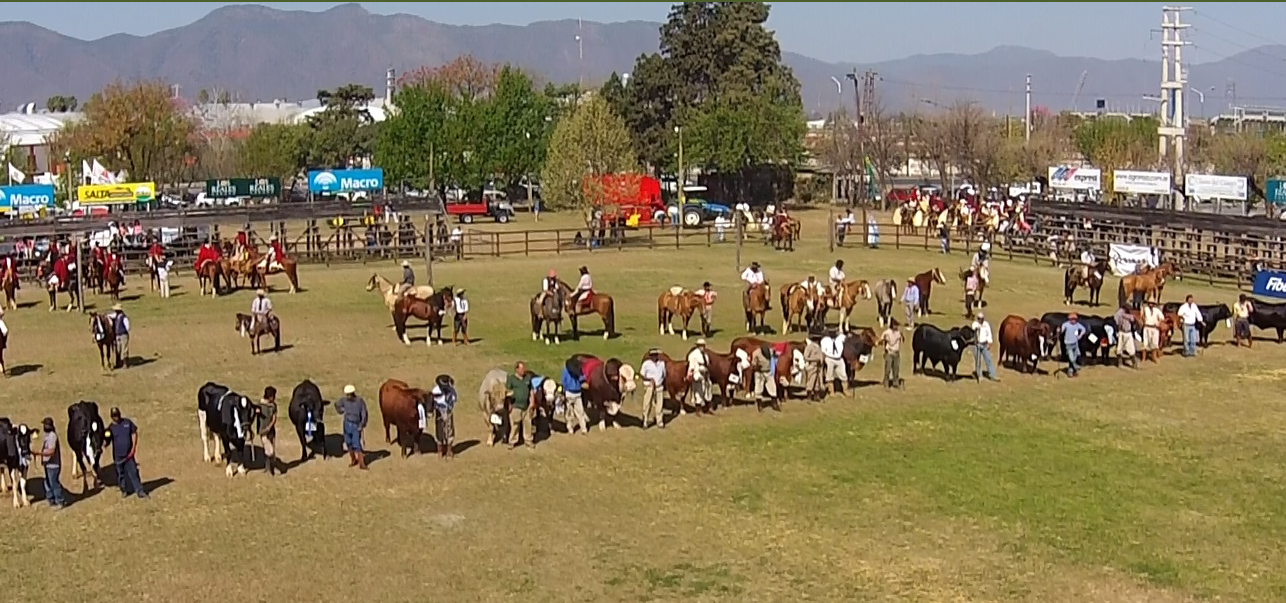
(258,53)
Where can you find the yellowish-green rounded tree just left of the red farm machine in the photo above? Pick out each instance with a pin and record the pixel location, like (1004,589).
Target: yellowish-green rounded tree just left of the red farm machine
(591,143)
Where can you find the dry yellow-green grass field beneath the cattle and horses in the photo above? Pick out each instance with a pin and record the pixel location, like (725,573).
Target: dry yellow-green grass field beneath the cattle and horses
(1161,485)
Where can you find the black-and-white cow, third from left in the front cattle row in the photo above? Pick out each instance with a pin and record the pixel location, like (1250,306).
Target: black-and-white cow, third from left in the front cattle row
(227,416)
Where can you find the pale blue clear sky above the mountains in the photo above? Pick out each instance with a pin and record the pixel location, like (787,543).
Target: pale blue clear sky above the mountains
(844,31)
